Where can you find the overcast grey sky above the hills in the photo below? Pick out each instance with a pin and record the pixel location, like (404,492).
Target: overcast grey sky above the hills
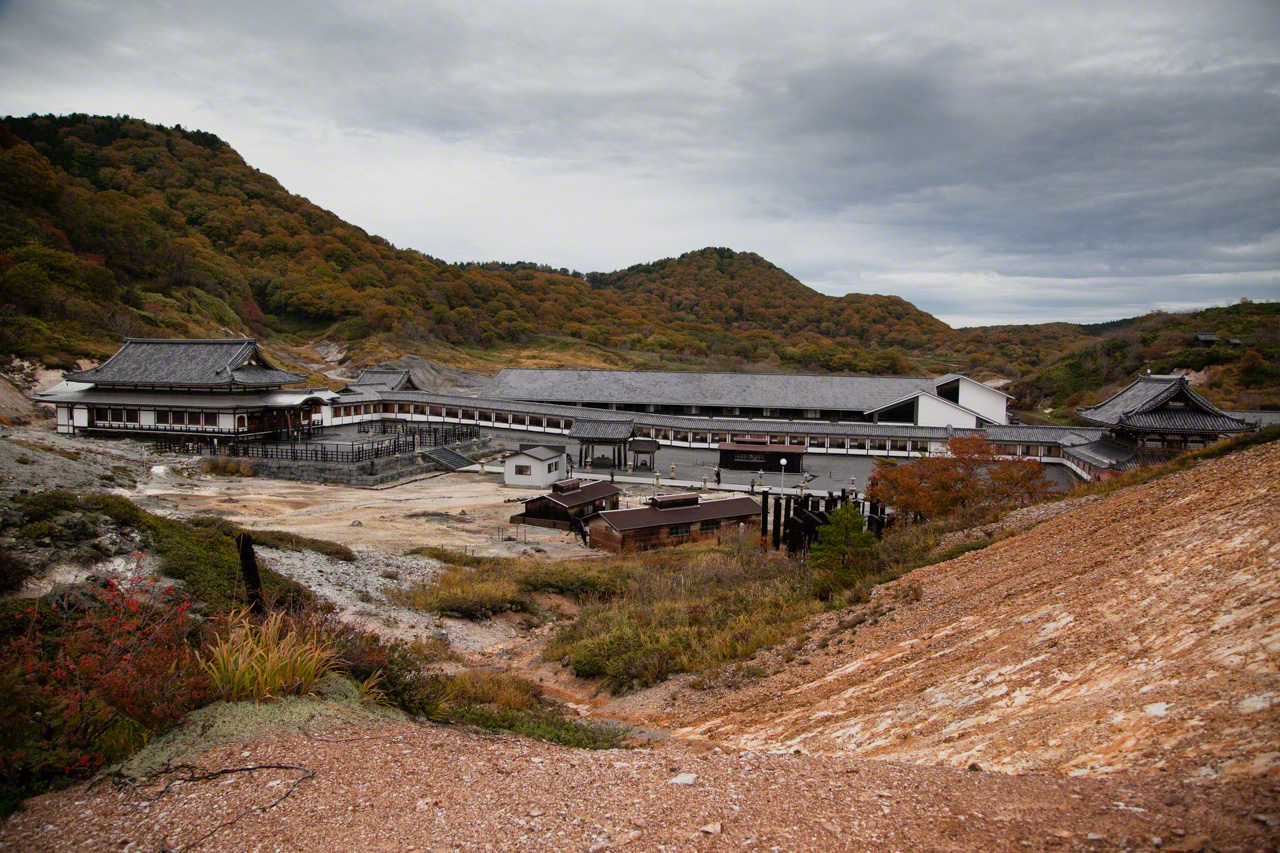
(990,162)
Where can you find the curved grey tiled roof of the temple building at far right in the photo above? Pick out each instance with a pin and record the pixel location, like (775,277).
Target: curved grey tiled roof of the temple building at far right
(1145,407)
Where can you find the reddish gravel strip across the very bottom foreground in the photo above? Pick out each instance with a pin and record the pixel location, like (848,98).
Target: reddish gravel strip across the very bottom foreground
(433,788)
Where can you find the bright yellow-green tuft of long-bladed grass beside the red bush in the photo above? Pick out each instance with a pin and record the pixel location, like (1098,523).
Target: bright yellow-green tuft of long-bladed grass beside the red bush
(268,659)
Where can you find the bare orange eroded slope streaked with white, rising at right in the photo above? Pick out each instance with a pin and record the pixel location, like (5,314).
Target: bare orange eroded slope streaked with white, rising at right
(1141,631)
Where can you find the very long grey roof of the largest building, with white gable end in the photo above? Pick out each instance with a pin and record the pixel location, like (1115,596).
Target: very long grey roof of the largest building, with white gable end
(673,387)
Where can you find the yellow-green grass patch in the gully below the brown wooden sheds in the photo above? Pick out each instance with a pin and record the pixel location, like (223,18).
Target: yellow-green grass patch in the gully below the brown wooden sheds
(643,617)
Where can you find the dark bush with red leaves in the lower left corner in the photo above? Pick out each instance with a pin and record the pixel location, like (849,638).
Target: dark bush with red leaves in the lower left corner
(89,676)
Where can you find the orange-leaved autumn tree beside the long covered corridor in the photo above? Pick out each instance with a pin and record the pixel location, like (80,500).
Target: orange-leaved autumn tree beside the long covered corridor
(971,477)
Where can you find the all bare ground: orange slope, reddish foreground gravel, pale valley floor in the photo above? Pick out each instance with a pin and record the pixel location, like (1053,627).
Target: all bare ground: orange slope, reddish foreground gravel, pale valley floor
(1105,679)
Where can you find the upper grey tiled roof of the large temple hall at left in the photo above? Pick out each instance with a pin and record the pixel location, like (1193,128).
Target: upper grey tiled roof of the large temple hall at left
(217,363)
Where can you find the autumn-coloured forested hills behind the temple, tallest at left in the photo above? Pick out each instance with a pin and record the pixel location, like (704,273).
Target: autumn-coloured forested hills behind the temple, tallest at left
(115,227)
